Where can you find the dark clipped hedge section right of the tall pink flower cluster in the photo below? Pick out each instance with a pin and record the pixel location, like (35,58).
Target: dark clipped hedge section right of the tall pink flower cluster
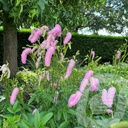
(104,46)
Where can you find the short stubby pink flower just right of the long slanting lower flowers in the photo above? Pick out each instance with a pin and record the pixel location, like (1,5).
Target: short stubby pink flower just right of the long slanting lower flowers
(94,84)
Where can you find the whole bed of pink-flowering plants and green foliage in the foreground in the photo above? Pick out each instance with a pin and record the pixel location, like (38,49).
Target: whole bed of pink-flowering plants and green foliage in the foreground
(52,91)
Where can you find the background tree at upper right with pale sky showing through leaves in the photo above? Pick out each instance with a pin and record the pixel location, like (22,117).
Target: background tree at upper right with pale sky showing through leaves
(112,16)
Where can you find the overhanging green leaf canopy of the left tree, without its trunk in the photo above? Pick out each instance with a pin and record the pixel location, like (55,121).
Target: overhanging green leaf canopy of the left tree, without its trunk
(69,13)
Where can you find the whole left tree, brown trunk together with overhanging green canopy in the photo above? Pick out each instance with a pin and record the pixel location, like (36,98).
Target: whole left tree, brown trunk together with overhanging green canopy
(26,13)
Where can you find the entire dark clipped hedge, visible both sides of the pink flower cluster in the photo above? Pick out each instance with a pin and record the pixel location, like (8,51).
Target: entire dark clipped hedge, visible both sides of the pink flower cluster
(104,46)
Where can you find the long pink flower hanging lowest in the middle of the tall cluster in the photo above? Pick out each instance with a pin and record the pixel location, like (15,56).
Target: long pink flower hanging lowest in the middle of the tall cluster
(48,56)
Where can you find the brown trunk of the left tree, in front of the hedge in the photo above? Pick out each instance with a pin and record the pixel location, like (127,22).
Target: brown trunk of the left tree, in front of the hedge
(10,45)
